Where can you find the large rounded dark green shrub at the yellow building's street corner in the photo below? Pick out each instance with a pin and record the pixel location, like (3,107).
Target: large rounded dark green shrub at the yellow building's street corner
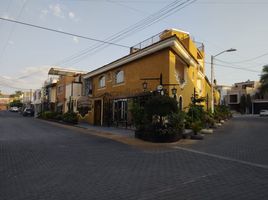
(159,120)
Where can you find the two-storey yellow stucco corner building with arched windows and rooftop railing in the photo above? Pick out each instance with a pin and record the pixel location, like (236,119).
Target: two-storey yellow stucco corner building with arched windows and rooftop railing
(169,62)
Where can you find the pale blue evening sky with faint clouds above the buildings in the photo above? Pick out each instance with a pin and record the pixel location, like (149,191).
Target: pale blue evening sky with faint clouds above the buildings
(27,53)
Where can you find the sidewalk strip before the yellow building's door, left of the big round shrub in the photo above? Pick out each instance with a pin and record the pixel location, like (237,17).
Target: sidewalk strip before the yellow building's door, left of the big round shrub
(112,130)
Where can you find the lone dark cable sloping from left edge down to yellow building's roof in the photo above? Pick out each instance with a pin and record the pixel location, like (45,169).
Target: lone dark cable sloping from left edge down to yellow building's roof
(62,32)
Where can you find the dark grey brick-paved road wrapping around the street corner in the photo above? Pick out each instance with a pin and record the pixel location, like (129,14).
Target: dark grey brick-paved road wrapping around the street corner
(43,161)
